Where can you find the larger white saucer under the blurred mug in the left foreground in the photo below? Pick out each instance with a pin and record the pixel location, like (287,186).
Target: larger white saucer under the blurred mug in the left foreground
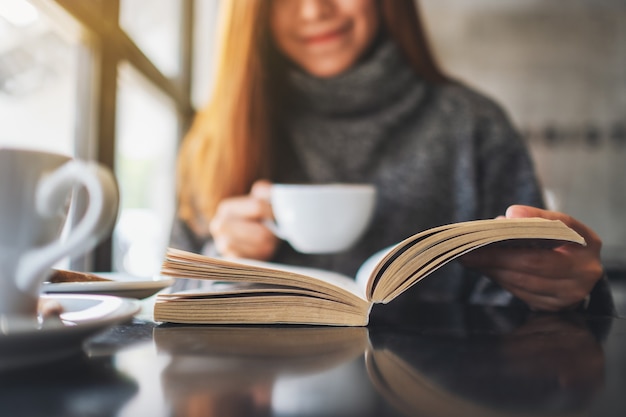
(28,341)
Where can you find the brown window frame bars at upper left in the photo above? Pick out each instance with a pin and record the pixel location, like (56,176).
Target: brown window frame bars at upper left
(103,46)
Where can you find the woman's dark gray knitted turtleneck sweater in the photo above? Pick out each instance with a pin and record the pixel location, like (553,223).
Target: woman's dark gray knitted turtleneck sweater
(437,154)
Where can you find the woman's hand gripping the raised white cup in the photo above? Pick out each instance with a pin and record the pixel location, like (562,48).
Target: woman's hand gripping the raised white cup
(237,227)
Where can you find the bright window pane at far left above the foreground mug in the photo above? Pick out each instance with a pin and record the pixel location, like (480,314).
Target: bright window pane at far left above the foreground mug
(38,64)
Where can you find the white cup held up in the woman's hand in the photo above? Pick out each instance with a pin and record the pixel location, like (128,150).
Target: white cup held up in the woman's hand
(322,218)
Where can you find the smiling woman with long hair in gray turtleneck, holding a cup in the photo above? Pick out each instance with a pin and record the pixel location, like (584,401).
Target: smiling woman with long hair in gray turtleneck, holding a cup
(348,91)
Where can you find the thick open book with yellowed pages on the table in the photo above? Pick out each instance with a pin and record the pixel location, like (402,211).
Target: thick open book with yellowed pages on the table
(253,292)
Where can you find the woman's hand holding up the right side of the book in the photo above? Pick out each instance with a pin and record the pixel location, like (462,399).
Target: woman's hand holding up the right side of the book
(546,279)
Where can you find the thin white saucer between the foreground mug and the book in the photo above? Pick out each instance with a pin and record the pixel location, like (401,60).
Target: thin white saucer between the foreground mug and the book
(121,285)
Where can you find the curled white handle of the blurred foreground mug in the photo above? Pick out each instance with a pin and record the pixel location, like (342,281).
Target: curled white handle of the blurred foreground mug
(50,197)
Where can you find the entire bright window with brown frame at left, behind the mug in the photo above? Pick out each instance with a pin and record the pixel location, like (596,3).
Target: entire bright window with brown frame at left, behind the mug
(108,80)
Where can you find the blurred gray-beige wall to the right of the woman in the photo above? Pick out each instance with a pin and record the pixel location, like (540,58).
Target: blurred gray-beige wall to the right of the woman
(559,68)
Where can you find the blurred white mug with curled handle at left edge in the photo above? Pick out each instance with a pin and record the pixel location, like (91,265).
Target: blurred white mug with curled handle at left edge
(35,191)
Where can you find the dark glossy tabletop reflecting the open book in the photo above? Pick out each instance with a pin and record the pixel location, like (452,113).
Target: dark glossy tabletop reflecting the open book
(439,360)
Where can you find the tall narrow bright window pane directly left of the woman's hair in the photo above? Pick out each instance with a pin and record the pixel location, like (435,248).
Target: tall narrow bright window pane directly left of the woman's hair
(144,158)
